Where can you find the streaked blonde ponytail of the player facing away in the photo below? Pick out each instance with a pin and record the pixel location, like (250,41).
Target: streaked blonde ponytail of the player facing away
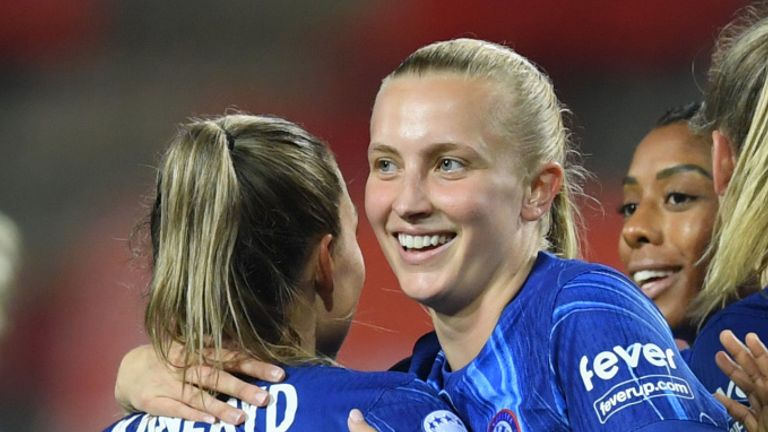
(197,209)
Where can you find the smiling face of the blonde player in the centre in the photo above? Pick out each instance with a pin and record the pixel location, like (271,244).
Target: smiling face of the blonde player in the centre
(442,195)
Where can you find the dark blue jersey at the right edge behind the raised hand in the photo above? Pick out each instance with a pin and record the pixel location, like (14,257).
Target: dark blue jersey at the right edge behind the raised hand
(749,315)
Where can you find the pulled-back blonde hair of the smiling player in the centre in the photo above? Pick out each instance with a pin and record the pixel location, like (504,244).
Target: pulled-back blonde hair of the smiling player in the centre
(532,117)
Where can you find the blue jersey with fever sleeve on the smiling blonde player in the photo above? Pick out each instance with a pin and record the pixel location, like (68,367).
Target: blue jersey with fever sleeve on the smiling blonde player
(579,348)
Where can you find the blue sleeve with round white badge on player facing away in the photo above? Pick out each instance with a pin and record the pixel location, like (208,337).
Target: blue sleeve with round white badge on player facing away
(415,408)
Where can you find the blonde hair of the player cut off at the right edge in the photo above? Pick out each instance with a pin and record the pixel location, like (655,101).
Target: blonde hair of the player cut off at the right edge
(736,104)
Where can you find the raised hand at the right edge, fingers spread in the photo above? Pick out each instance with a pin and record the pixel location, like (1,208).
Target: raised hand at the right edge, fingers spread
(747,366)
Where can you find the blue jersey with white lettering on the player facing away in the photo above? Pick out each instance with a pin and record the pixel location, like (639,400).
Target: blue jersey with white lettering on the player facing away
(319,398)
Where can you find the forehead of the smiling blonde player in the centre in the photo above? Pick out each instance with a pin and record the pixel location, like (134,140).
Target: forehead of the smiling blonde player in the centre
(440,107)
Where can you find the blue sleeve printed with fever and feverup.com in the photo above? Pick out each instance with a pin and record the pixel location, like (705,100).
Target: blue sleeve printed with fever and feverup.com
(616,363)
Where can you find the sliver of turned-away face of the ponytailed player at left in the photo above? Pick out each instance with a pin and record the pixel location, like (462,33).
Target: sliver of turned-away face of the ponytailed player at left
(348,278)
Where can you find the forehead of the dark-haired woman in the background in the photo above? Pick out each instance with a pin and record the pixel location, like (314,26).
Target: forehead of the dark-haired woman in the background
(671,145)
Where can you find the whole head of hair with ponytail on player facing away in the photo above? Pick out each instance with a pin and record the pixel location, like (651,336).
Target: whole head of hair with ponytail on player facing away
(241,200)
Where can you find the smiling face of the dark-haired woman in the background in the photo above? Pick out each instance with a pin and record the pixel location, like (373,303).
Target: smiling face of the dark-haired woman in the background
(669,208)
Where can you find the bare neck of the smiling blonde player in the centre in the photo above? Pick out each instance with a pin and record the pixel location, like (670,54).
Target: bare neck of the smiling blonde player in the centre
(463,334)
